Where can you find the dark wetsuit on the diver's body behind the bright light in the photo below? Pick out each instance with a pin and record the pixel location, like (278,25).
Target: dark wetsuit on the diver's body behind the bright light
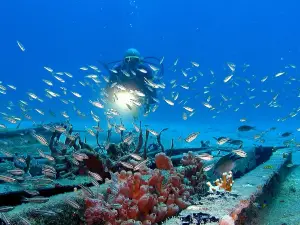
(133,82)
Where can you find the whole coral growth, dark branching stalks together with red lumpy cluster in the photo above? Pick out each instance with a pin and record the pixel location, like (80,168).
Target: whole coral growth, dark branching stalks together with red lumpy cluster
(140,195)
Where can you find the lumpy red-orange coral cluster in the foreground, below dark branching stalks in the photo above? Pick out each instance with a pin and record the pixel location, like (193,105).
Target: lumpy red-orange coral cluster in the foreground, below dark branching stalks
(144,197)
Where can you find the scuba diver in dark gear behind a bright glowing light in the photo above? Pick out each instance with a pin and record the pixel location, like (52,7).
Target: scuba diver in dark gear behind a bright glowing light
(131,73)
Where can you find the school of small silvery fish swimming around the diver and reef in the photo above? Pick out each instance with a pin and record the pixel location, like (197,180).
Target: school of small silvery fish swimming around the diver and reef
(184,93)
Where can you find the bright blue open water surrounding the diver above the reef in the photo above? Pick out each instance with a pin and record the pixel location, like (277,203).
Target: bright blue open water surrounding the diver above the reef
(259,38)
